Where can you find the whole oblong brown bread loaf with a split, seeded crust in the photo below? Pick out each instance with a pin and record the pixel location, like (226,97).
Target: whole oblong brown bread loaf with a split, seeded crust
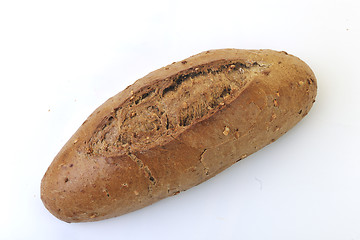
(175,128)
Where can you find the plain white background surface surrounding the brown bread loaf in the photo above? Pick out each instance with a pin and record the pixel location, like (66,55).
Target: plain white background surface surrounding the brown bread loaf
(59,60)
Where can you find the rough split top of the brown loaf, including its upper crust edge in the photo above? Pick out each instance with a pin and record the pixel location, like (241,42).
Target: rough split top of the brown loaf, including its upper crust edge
(166,102)
